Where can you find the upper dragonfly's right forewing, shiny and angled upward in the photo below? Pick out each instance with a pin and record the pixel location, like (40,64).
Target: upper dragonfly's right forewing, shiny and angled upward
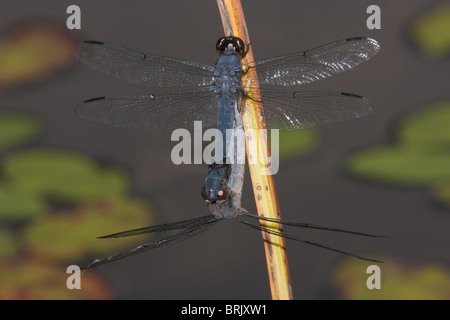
(315,64)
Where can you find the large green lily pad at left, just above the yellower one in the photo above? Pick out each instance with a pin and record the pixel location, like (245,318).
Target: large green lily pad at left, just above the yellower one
(63,175)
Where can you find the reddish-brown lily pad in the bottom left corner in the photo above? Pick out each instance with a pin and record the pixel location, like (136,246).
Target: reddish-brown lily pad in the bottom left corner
(37,280)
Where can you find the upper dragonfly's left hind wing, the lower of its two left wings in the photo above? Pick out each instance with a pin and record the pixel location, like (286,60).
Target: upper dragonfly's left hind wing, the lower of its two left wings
(158,113)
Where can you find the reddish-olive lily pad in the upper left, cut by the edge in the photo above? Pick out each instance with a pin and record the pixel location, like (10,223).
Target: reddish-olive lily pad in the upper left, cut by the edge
(34,52)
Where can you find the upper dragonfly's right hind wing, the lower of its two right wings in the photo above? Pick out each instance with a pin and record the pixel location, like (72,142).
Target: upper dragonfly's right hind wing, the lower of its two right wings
(292,110)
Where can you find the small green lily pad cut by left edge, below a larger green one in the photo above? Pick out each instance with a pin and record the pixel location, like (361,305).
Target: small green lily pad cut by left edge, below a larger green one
(16,205)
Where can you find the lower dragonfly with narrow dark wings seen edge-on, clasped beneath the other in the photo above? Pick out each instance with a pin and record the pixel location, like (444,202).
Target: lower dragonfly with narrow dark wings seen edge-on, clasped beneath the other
(226,205)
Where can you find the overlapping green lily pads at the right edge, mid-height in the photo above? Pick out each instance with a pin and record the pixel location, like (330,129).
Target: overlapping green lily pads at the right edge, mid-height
(420,155)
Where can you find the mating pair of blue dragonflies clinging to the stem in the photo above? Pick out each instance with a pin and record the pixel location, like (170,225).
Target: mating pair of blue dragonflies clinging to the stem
(215,96)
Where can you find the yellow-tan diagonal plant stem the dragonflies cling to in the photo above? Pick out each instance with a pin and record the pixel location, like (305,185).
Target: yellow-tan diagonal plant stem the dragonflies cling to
(263,185)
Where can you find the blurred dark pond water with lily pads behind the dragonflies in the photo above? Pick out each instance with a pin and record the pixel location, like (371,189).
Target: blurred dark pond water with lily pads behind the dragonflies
(64,181)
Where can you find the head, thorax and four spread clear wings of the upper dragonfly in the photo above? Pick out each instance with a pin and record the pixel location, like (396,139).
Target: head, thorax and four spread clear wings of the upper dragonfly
(202,88)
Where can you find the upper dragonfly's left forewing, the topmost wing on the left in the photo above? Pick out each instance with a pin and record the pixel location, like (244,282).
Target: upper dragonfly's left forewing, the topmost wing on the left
(145,69)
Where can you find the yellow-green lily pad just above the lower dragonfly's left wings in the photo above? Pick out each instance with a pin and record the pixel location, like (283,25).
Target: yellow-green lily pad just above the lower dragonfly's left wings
(71,235)
